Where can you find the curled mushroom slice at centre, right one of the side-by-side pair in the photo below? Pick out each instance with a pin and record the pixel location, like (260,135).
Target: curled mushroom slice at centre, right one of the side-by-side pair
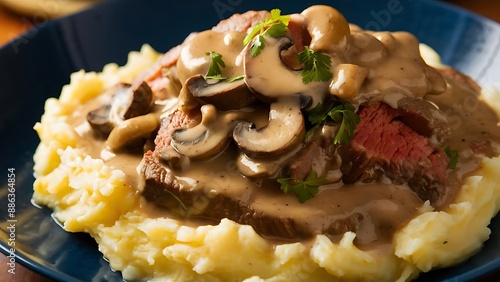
(284,131)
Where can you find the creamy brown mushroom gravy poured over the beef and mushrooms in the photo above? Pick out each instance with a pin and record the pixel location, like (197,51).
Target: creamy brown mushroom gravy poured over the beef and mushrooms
(365,65)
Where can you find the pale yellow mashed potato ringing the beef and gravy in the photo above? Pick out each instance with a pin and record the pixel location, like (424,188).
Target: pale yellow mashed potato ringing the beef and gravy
(87,195)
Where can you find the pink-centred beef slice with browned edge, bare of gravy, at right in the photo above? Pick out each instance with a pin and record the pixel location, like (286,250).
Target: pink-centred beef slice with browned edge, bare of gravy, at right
(385,145)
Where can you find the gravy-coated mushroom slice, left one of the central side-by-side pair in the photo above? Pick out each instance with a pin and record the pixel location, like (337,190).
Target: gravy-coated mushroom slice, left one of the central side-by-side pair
(210,137)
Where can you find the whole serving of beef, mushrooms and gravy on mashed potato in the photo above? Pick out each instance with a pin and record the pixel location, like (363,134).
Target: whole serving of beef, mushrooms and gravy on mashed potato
(274,147)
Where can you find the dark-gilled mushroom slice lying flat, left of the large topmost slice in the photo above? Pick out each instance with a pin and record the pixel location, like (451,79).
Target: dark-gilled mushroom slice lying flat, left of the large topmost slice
(224,95)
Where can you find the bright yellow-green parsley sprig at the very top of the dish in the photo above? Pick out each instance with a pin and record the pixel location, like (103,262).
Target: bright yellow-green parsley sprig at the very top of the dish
(275,25)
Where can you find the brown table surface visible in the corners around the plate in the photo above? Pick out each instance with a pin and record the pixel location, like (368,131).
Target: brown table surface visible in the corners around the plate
(12,24)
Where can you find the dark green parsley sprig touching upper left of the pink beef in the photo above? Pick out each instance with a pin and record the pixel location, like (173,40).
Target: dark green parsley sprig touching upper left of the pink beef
(343,112)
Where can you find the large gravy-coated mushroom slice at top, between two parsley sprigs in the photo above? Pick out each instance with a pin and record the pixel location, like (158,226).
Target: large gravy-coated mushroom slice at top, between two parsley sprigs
(270,78)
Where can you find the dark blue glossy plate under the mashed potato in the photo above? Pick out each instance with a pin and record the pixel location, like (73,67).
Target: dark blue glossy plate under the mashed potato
(36,65)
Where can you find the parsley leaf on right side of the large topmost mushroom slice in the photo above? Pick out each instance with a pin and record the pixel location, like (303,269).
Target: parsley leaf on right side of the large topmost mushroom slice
(316,66)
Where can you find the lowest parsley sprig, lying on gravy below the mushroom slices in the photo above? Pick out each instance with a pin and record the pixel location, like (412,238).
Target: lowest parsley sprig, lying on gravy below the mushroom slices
(303,189)
